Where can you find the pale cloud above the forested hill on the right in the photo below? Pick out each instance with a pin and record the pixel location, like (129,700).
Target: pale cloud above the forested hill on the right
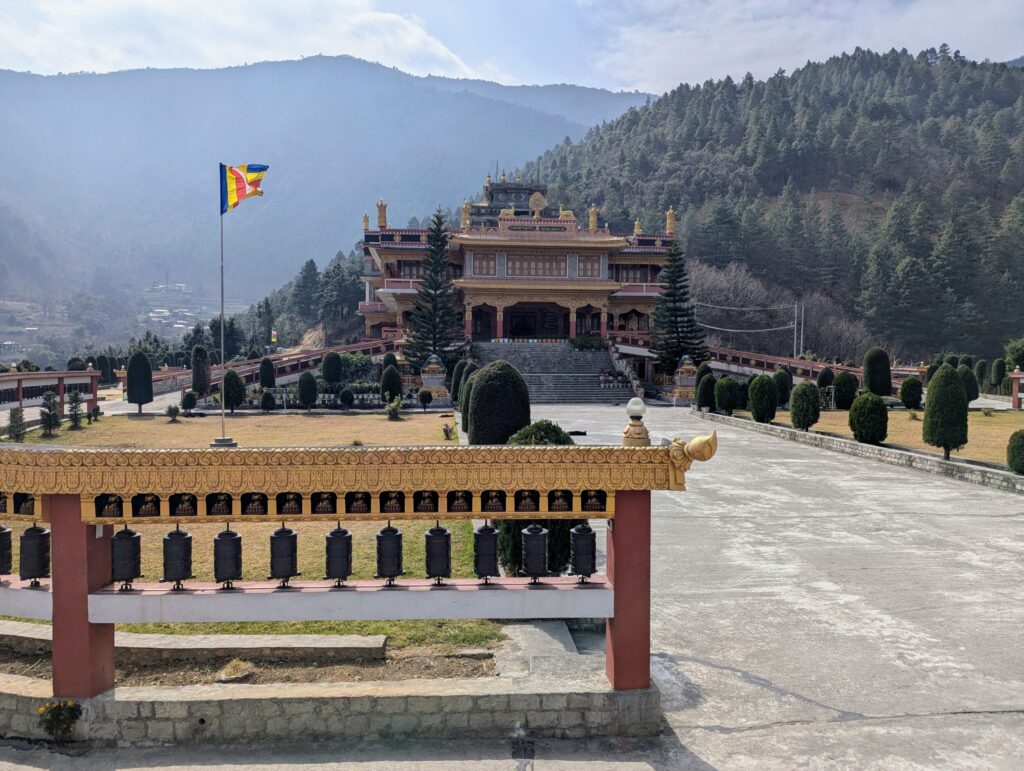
(657,45)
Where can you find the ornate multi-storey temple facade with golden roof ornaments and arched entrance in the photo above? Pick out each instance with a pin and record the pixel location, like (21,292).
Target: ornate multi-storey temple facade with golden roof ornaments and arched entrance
(524,270)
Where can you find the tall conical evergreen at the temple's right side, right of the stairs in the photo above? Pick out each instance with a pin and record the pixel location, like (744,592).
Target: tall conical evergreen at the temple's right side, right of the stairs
(676,333)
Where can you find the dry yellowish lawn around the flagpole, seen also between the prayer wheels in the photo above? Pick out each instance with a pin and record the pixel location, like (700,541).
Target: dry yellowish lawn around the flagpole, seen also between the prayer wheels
(290,431)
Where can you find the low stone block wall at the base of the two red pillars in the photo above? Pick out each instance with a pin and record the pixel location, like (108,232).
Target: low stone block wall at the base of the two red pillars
(481,708)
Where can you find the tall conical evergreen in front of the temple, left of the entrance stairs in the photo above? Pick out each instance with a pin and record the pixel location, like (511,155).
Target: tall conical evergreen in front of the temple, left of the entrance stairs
(436,322)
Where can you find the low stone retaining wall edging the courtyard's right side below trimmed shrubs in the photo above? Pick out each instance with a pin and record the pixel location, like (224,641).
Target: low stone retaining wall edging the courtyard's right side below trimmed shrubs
(966,473)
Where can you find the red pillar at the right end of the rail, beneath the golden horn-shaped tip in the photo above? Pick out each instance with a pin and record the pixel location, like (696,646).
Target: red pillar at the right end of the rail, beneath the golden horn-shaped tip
(628,635)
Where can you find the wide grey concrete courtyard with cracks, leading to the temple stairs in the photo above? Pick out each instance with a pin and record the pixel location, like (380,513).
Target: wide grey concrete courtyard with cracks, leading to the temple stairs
(810,610)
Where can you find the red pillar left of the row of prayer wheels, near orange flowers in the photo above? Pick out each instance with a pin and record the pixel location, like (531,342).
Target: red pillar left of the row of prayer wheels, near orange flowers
(83,653)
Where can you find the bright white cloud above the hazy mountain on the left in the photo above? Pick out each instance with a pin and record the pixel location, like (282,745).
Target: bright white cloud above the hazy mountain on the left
(53,36)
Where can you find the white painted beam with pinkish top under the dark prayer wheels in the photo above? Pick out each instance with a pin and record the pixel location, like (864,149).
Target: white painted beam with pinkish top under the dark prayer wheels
(506,598)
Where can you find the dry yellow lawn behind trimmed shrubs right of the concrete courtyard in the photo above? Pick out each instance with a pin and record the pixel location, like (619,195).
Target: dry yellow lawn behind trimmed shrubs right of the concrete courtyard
(988,437)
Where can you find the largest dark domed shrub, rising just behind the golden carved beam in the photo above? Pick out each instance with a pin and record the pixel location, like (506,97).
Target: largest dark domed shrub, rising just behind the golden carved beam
(499,406)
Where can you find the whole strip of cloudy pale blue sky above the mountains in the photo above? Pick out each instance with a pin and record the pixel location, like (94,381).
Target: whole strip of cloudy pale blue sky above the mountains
(647,46)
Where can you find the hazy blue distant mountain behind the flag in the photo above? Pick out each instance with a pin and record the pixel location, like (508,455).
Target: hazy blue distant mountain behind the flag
(116,174)
